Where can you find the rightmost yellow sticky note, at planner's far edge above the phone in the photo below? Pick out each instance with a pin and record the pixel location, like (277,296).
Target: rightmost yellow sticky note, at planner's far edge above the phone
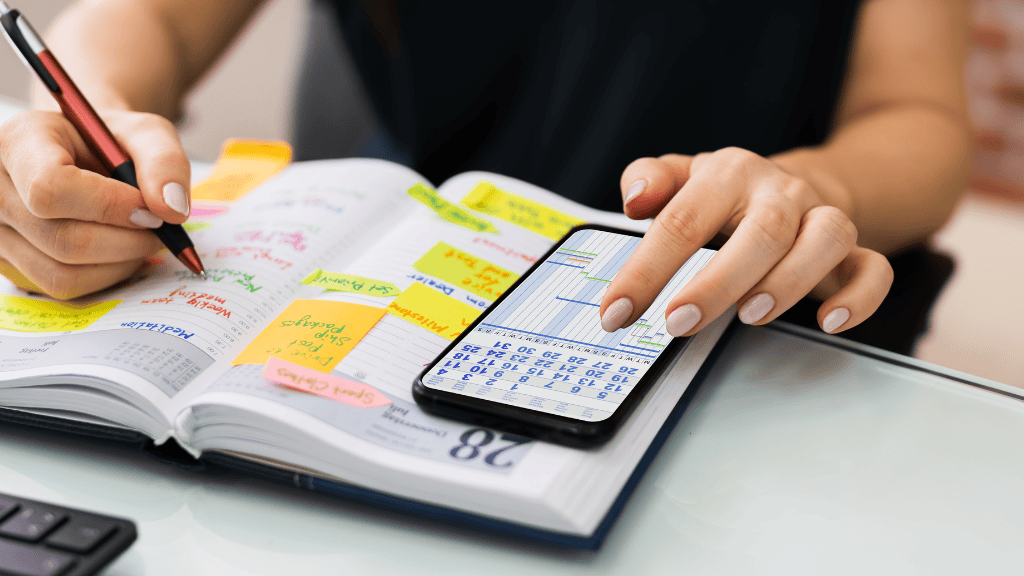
(521,212)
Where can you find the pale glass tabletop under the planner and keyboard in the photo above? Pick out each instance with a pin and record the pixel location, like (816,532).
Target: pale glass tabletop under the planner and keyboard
(796,457)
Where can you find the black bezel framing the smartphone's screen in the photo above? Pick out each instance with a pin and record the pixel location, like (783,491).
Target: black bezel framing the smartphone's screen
(541,426)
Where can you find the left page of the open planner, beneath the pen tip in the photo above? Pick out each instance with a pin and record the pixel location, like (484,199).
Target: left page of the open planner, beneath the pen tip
(160,332)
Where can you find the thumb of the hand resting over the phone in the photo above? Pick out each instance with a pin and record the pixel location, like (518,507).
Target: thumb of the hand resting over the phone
(649,184)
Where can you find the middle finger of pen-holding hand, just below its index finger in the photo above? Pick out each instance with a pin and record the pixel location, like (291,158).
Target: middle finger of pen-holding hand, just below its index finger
(77,242)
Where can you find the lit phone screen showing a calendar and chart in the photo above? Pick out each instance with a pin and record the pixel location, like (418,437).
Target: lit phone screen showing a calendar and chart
(543,348)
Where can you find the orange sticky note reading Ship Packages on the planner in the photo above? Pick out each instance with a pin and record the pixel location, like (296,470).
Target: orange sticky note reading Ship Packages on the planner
(313,334)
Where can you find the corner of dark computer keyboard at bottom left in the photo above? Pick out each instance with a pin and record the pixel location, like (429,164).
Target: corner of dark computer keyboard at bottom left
(44,540)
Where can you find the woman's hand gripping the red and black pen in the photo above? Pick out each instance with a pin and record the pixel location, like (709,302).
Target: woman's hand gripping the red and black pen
(65,226)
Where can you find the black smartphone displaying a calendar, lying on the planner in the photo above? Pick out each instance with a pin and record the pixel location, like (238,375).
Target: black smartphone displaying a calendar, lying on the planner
(538,363)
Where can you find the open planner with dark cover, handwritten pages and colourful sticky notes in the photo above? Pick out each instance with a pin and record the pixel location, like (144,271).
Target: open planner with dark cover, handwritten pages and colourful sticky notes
(331,286)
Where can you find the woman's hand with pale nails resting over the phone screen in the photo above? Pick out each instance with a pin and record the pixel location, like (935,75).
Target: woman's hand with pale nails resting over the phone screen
(786,242)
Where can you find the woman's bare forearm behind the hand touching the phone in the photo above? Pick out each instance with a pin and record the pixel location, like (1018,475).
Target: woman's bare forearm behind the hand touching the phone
(898,173)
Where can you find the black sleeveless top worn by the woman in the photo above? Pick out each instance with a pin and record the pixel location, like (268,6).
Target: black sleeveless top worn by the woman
(566,95)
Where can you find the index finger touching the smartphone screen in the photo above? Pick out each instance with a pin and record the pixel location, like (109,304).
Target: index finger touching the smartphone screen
(691,219)
